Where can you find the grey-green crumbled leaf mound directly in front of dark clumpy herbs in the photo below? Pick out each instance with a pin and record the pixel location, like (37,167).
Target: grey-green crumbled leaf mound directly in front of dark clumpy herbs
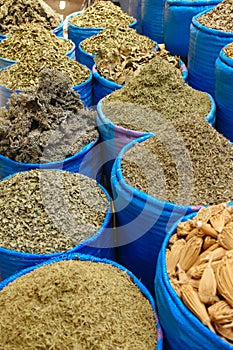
(47,211)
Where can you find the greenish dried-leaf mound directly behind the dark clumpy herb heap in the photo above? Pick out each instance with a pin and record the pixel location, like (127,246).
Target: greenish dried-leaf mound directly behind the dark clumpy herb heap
(25,73)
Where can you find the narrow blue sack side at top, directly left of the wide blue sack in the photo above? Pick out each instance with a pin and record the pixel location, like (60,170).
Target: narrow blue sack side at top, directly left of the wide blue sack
(152,19)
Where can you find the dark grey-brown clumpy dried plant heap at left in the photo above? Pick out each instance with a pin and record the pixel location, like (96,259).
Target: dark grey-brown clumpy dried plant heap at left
(46,123)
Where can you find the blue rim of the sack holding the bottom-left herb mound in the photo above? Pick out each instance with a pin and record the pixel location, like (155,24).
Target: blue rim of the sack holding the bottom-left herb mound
(86,257)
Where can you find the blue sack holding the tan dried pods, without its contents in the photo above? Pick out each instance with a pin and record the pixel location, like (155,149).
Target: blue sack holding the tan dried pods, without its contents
(182,330)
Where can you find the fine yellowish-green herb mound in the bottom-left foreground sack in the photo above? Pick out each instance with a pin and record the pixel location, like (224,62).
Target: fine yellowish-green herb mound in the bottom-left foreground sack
(75,305)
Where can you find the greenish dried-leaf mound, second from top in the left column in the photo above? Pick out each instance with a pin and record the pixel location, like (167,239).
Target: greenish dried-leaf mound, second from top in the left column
(33,41)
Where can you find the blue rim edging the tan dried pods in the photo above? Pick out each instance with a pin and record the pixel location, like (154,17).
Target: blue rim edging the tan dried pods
(175,298)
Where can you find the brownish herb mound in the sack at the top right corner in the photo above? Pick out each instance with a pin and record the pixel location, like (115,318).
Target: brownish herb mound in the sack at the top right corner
(220,17)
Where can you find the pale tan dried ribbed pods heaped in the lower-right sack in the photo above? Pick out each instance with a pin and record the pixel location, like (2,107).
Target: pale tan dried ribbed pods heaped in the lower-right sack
(200,267)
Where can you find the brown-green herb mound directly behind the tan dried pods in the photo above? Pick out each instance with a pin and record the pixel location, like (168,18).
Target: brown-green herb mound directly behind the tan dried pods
(187,162)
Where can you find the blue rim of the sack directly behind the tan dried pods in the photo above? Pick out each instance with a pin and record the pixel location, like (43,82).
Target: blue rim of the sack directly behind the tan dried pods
(142,196)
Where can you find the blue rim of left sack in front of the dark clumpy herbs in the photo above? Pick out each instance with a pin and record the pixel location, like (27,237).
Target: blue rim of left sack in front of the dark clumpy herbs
(84,243)
